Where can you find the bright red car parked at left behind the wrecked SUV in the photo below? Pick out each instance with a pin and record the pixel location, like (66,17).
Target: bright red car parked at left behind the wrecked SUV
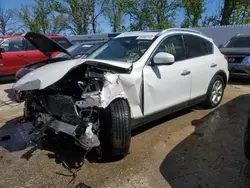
(16,52)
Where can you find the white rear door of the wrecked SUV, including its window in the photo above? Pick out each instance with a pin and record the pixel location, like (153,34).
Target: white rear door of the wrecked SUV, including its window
(202,62)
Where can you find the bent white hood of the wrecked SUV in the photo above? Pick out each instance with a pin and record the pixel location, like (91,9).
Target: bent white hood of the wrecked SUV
(49,74)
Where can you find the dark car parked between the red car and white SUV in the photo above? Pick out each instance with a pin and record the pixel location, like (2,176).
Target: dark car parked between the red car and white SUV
(73,52)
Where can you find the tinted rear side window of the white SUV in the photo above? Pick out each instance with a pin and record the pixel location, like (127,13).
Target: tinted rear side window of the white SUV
(196,46)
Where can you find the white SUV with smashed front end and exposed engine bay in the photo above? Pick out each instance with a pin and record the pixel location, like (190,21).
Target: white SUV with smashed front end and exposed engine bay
(129,81)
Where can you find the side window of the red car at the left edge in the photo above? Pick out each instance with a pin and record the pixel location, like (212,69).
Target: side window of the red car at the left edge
(13,45)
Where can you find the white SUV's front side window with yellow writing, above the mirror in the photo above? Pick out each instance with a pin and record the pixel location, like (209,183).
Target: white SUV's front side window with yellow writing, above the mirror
(173,45)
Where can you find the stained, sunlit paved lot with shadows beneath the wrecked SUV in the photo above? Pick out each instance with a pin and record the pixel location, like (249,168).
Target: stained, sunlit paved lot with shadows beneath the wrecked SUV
(192,148)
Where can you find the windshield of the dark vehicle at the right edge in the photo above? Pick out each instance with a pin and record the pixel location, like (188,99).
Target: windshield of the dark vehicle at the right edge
(238,42)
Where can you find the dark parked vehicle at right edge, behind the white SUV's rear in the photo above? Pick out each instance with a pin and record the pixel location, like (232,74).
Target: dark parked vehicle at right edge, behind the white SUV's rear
(237,52)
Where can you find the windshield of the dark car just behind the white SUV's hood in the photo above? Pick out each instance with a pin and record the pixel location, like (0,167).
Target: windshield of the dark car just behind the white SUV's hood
(79,50)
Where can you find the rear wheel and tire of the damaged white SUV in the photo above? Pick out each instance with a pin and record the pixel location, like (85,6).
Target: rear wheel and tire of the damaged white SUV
(211,101)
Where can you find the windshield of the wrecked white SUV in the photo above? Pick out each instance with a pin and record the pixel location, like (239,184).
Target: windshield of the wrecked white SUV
(125,49)
